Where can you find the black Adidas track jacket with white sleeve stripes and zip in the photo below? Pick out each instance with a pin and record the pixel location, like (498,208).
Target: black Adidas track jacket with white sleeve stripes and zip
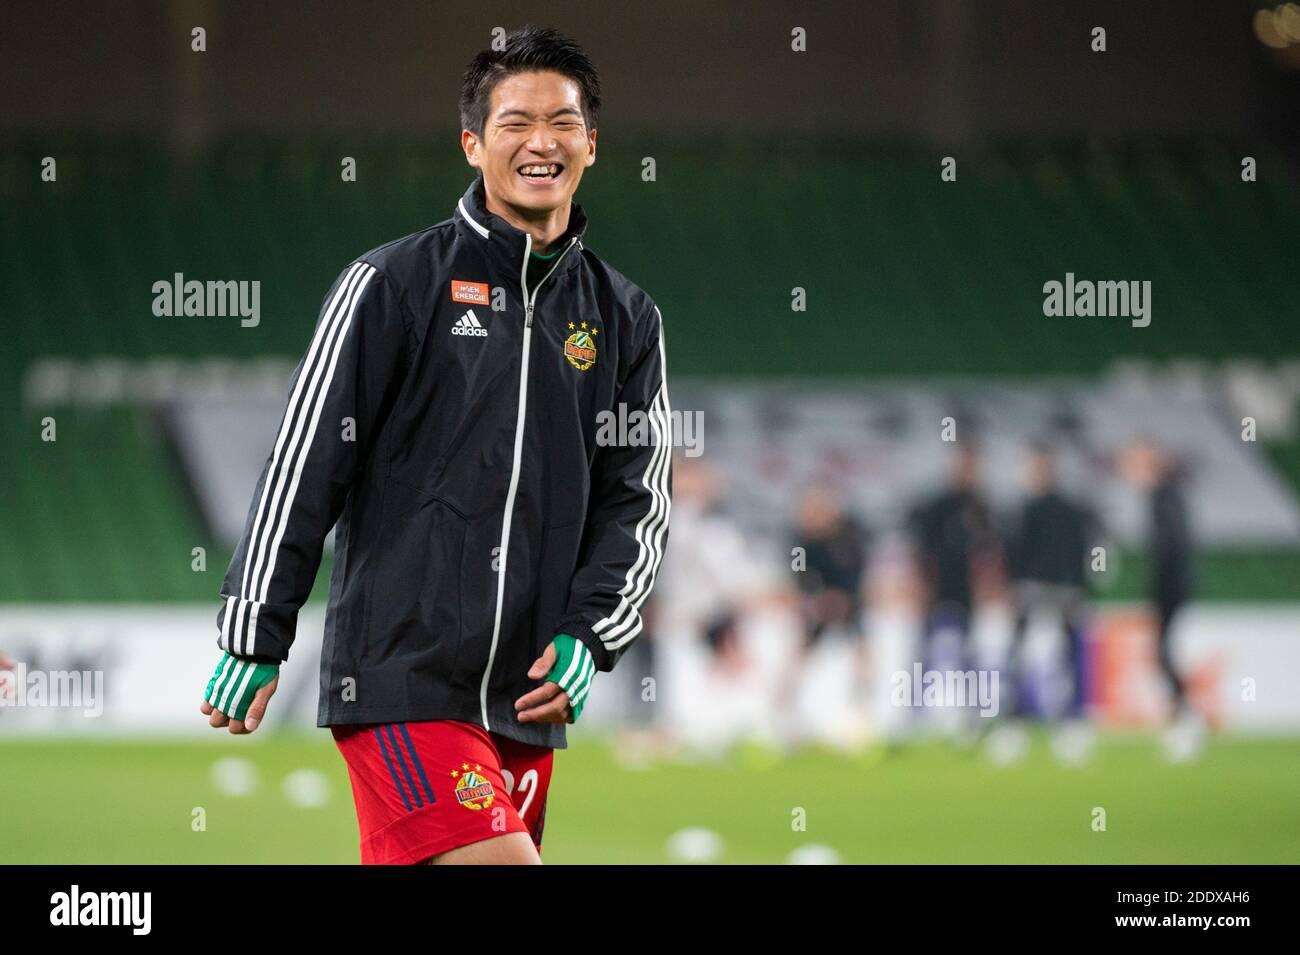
(447,419)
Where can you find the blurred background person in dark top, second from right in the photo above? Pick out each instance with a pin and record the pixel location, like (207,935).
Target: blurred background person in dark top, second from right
(1048,554)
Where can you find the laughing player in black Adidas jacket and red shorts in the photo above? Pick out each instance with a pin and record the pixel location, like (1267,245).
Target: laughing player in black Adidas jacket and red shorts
(492,550)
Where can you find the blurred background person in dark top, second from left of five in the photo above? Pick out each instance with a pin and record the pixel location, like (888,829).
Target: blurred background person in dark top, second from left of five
(821,694)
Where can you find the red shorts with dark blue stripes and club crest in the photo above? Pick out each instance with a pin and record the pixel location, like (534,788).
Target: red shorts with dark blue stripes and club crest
(427,788)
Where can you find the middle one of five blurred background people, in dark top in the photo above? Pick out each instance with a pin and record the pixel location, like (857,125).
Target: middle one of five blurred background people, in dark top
(957,552)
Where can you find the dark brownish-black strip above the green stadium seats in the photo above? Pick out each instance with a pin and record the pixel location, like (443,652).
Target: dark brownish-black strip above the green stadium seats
(950,71)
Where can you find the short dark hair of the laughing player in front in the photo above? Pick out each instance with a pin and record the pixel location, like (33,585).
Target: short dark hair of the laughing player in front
(526,51)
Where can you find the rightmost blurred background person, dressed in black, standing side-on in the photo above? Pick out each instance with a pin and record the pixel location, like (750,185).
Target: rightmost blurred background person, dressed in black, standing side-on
(1171,548)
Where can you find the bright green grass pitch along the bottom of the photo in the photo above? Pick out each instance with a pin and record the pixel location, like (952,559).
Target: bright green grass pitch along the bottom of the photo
(132,802)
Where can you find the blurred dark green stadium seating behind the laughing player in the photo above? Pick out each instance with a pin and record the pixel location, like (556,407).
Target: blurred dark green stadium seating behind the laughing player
(915,277)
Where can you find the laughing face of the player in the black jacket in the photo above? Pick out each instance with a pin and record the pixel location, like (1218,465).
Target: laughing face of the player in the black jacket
(536,145)
